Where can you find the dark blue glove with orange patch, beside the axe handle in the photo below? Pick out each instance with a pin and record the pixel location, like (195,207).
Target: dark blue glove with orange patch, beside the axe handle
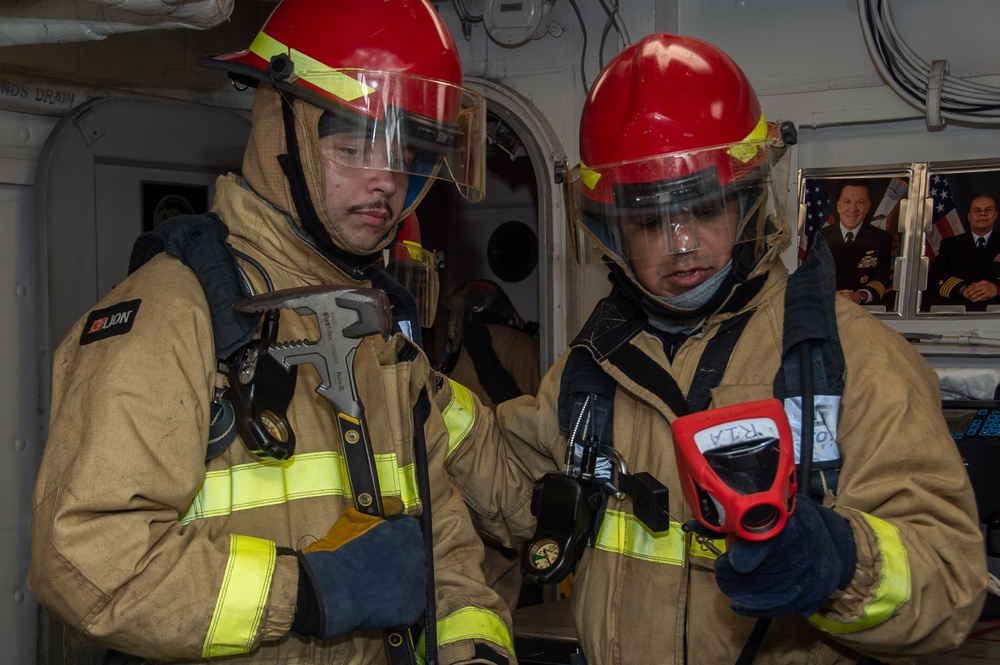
(366,573)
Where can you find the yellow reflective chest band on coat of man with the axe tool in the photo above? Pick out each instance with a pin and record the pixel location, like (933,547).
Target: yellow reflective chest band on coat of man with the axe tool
(272,482)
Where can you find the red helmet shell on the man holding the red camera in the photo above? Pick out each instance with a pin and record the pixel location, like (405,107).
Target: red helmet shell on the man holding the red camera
(666,97)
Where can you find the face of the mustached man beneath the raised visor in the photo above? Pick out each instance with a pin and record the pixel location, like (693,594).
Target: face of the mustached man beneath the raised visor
(363,204)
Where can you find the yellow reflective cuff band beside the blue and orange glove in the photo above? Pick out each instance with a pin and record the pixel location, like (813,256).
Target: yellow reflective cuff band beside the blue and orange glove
(242,598)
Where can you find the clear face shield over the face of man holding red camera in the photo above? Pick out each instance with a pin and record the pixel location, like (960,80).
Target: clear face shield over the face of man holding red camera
(699,203)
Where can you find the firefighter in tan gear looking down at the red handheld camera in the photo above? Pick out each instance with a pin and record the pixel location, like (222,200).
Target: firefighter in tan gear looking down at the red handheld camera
(680,189)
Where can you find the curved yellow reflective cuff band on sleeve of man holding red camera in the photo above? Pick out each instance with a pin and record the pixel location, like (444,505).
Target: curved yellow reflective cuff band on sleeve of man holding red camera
(893,589)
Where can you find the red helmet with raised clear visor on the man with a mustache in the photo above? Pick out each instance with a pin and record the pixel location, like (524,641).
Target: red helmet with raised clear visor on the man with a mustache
(394,62)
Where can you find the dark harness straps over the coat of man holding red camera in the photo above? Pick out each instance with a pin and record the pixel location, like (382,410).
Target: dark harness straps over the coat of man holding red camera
(809,322)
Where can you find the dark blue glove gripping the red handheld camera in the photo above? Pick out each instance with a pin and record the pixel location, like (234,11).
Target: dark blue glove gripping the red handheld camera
(796,571)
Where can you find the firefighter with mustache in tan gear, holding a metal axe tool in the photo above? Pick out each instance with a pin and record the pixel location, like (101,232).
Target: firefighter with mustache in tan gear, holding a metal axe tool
(152,543)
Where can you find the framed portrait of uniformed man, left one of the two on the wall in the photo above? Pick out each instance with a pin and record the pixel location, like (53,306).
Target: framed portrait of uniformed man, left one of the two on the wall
(861,214)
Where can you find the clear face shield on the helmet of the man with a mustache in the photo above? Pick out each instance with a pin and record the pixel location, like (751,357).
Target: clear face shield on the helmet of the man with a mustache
(414,126)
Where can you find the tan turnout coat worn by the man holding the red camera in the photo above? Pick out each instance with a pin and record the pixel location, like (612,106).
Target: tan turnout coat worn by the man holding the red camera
(643,599)
